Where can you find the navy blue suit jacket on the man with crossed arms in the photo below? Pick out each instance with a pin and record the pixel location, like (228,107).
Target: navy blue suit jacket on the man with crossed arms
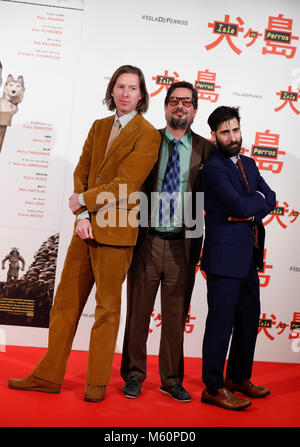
(229,246)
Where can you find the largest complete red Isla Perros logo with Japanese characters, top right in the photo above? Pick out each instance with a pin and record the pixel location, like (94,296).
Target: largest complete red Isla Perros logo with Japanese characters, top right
(278,36)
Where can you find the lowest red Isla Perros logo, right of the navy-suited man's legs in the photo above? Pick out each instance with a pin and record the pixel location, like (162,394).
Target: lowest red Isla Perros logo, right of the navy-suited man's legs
(267,326)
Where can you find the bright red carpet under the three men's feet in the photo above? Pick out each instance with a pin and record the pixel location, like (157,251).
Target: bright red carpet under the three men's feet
(152,409)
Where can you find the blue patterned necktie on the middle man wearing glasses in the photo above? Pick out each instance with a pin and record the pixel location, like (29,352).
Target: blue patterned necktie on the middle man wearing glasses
(169,198)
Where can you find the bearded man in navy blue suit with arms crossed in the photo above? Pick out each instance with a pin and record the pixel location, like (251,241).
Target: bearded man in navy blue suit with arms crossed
(236,199)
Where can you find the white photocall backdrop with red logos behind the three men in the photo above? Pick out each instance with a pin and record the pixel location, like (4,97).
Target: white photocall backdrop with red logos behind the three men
(244,54)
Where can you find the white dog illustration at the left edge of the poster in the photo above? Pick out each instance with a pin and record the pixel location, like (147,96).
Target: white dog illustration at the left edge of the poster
(13,92)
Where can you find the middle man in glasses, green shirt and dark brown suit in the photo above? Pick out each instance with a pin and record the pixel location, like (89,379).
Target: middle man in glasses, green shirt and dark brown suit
(168,249)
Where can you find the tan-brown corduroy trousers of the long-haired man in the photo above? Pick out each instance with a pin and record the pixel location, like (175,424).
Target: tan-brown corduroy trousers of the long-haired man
(86,263)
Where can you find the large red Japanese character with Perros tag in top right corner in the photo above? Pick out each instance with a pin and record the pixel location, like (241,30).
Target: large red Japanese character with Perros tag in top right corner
(278,37)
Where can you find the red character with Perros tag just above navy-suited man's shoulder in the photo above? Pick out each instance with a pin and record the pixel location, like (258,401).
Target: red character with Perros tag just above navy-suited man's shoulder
(265,151)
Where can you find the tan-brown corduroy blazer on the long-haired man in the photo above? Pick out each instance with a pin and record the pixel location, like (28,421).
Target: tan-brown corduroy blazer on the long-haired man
(128,162)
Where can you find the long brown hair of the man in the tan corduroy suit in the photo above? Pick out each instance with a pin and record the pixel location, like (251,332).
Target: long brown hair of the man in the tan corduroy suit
(143,104)
